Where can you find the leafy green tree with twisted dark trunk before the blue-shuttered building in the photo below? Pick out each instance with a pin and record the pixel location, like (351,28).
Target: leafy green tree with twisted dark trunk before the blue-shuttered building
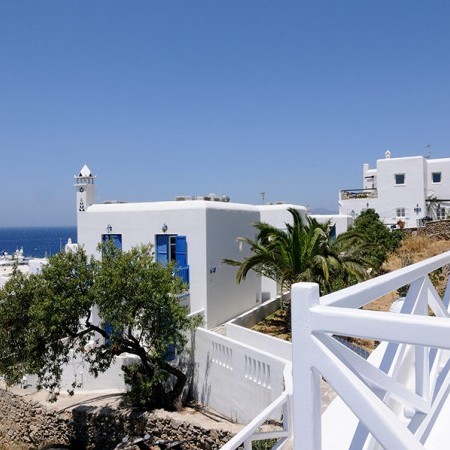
(45,318)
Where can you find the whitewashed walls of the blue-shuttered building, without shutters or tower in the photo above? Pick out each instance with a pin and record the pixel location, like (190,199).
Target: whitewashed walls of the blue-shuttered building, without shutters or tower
(211,229)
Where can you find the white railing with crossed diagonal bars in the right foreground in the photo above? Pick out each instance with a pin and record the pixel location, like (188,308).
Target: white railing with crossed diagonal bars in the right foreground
(396,398)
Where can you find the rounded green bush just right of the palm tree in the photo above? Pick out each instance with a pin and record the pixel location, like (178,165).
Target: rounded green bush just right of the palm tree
(378,239)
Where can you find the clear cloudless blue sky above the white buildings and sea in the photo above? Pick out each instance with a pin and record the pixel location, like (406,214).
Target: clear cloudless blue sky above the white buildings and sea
(187,97)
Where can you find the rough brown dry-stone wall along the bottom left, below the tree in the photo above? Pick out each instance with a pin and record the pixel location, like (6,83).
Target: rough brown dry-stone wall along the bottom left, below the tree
(27,425)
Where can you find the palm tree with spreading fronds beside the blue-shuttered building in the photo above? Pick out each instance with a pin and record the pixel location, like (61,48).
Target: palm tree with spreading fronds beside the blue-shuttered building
(302,252)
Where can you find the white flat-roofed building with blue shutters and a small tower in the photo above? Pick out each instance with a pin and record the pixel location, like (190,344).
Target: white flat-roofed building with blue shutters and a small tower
(197,233)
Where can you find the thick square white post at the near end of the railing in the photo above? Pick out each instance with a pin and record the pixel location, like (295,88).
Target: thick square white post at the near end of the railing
(306,379)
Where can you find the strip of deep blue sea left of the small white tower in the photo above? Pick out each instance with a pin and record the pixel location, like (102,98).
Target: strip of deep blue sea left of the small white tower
(36,242)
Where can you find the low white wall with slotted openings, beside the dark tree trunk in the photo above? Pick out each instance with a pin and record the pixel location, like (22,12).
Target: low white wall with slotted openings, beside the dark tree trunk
(235,379)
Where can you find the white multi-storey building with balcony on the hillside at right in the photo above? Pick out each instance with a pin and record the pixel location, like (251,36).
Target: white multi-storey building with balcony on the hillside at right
(409,190)
